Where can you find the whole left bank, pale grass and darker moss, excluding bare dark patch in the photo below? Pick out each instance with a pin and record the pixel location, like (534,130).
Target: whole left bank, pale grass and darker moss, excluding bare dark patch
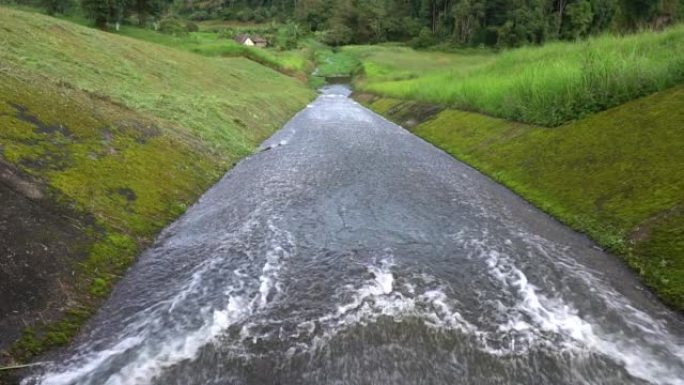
(129,133)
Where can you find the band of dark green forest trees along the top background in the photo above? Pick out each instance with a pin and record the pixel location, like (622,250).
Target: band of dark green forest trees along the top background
(423,22)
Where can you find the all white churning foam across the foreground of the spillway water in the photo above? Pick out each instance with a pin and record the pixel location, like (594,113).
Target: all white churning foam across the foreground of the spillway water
(534,319)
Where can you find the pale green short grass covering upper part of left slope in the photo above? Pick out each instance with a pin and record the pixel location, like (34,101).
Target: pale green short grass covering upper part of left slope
(216,98)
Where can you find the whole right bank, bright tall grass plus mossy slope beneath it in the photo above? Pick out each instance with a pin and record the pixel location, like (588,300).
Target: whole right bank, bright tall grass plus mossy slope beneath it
(617,175)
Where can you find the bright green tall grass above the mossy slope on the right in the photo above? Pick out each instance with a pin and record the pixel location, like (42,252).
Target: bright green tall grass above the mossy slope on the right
(555,83)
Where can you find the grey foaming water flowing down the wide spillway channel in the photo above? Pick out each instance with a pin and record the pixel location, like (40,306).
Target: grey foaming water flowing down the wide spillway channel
(352,252)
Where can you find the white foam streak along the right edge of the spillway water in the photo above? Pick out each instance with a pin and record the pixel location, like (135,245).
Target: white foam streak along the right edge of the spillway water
(537,318)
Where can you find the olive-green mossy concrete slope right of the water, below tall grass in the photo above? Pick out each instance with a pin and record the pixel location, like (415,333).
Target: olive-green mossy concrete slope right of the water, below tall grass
(617,176)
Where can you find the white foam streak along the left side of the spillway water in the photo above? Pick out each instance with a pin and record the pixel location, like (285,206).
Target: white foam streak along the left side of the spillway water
(149,354)
